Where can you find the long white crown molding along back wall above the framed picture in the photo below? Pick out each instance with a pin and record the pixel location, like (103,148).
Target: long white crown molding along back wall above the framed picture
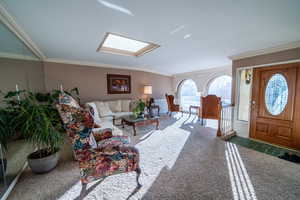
(96,64)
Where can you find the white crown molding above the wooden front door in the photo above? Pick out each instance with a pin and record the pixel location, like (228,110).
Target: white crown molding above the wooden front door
(274,49)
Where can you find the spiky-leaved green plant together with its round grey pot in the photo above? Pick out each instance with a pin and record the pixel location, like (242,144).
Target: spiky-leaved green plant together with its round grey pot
(37,123)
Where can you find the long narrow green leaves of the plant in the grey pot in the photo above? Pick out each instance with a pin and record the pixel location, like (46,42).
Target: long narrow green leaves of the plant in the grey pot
(37,122)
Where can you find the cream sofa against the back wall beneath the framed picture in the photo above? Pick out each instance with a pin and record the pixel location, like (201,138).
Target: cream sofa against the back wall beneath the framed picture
(108,113)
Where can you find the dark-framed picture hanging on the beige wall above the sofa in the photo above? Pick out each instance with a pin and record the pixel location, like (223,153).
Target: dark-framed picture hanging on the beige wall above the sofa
(118,84)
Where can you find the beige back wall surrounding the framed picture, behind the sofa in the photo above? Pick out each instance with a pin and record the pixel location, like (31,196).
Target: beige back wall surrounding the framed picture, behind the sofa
(92,84)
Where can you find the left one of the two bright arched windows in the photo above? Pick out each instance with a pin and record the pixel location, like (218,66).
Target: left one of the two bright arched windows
(188,94)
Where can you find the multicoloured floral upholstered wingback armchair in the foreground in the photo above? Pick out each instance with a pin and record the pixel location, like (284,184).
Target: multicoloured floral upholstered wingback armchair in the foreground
(108,156)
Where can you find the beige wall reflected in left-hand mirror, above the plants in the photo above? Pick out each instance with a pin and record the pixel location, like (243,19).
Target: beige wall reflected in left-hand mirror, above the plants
(27,74)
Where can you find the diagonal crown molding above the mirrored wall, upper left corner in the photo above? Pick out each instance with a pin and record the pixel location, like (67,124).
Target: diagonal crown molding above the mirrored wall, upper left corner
(13,26)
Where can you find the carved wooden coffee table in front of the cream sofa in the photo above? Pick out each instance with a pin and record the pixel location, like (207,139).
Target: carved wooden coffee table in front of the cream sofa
(131,120)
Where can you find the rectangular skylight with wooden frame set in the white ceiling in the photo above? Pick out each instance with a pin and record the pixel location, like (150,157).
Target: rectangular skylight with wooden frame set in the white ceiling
(117,44)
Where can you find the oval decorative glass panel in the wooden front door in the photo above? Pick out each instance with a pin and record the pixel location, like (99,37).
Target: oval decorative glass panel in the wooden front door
(276,95)
